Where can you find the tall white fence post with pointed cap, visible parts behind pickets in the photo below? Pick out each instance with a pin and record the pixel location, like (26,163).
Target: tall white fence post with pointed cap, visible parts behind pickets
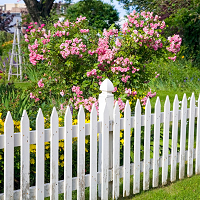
(106,97)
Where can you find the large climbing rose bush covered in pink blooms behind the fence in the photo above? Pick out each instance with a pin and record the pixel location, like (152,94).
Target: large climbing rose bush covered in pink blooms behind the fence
(77,59)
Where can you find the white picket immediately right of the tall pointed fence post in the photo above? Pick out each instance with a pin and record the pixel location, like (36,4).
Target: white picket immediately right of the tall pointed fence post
(116,151)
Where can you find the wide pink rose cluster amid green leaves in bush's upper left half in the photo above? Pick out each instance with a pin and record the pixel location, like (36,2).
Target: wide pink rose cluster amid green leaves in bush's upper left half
(73,47)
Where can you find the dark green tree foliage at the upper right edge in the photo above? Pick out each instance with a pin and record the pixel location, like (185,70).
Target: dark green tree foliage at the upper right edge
(186,21)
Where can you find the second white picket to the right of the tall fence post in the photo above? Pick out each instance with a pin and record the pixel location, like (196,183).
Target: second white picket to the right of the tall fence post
(126,163)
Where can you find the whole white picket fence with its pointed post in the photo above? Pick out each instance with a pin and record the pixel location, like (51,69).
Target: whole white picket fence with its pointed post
(109,172)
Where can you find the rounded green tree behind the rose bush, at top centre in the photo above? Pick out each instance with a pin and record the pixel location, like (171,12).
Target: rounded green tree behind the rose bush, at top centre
(99,15)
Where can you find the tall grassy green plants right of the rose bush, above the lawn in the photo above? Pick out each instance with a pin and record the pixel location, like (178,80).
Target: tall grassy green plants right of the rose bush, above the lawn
(180,75)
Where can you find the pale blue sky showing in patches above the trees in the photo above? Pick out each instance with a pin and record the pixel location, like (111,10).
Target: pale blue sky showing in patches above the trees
(118,6)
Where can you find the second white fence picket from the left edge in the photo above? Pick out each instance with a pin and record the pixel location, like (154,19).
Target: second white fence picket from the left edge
(25,157)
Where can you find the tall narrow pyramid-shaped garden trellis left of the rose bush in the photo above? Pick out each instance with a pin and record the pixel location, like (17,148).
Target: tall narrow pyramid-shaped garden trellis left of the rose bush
(16,55)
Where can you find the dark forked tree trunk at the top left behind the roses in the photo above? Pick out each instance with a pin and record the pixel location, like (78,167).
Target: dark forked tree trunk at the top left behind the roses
(39,10)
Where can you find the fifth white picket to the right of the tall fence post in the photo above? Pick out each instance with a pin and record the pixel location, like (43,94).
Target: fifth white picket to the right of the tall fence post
(156,144)
